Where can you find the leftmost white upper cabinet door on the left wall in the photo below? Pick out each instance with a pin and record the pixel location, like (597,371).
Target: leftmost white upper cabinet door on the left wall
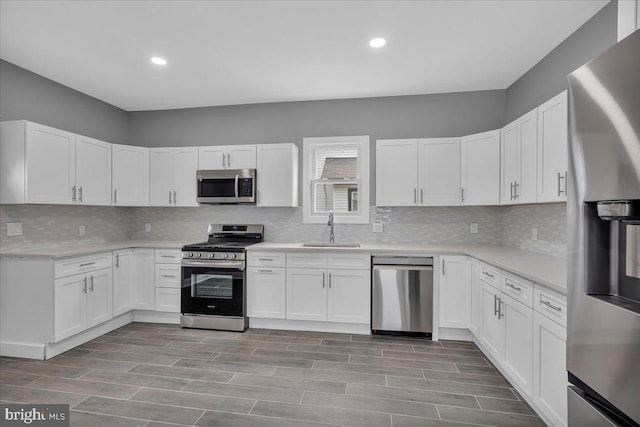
(50,159)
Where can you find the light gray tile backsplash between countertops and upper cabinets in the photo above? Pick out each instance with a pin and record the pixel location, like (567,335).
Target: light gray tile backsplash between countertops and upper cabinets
(46,225)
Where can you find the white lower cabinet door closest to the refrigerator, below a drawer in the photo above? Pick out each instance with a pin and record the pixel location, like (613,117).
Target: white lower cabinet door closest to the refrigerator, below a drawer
(550,369)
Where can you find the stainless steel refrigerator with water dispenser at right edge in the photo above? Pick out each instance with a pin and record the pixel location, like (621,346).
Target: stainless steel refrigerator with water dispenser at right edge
(603,329)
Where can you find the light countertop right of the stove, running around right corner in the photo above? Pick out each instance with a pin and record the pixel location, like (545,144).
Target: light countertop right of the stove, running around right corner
(545,270)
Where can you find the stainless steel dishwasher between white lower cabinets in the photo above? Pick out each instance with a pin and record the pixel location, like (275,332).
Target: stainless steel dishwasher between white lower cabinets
(402,296)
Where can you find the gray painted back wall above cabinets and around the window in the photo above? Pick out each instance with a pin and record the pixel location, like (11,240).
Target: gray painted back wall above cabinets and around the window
(434,115)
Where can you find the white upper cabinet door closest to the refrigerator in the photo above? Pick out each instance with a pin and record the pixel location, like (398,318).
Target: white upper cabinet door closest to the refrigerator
(552,149)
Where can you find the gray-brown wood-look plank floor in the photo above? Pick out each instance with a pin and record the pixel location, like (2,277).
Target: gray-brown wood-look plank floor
(157,375)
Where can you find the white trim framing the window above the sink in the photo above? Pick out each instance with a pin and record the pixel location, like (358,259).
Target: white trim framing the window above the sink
(362,142)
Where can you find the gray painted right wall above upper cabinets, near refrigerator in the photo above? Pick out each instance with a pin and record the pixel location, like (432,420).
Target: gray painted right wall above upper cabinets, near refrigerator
(549,76)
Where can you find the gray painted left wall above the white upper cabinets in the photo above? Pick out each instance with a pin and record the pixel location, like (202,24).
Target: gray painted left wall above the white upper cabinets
(29,96)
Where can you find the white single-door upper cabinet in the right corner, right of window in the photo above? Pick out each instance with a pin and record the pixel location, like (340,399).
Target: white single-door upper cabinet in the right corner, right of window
(480,168)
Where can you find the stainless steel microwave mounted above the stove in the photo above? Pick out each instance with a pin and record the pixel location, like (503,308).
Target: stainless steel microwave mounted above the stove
(230,186)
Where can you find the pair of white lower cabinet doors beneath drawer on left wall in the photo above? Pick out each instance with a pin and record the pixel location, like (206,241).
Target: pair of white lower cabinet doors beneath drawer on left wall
(81,302)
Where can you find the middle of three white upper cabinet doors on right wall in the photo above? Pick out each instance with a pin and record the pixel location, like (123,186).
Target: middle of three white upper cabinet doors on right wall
(527,128)
